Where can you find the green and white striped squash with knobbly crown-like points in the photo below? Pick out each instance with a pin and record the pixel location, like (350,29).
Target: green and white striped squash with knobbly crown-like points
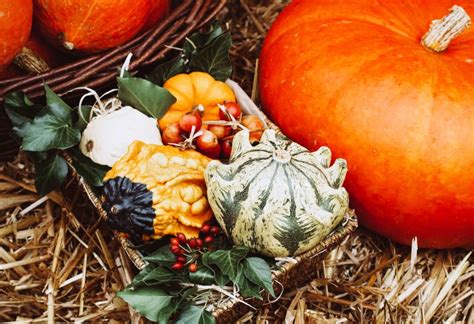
(277,198)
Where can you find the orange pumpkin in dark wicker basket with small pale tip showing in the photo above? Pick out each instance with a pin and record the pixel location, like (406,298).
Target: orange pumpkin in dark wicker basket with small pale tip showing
(92,26)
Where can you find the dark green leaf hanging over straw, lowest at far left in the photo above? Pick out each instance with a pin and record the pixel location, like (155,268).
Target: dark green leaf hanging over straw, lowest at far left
(50,174)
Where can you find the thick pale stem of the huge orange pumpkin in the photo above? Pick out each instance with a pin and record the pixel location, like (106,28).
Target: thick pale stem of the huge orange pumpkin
(444,30)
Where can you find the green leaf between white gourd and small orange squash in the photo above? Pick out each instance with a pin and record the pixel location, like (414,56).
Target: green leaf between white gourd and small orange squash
(145,96)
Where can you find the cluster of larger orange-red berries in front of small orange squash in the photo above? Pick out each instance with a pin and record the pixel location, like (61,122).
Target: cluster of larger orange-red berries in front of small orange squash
(216,140)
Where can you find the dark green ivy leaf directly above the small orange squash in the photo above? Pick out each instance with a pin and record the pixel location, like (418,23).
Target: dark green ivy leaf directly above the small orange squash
(214,58)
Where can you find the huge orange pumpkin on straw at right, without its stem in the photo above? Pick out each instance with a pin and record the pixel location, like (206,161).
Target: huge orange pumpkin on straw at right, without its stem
(353,75)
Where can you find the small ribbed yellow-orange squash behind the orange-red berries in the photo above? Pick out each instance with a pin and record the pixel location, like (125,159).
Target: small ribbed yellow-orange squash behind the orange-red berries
(192,90)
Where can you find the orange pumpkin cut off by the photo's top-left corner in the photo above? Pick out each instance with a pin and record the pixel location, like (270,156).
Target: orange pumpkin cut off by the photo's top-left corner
(15,26)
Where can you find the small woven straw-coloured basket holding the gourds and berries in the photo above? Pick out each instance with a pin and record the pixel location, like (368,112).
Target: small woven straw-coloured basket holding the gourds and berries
(290,275)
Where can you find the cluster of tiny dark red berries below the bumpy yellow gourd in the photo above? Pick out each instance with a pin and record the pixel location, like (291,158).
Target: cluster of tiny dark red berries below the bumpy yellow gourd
(188,251)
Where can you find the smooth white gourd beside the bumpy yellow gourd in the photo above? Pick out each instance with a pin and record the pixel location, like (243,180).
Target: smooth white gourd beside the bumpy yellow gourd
(107,136)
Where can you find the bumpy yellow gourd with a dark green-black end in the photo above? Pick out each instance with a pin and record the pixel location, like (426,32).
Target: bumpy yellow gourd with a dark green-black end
(156,191)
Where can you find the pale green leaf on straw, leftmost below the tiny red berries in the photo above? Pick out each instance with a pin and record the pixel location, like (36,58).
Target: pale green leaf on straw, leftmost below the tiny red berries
(147,301)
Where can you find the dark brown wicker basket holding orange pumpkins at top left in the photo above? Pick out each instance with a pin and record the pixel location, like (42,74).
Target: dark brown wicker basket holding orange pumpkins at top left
(100,70)
